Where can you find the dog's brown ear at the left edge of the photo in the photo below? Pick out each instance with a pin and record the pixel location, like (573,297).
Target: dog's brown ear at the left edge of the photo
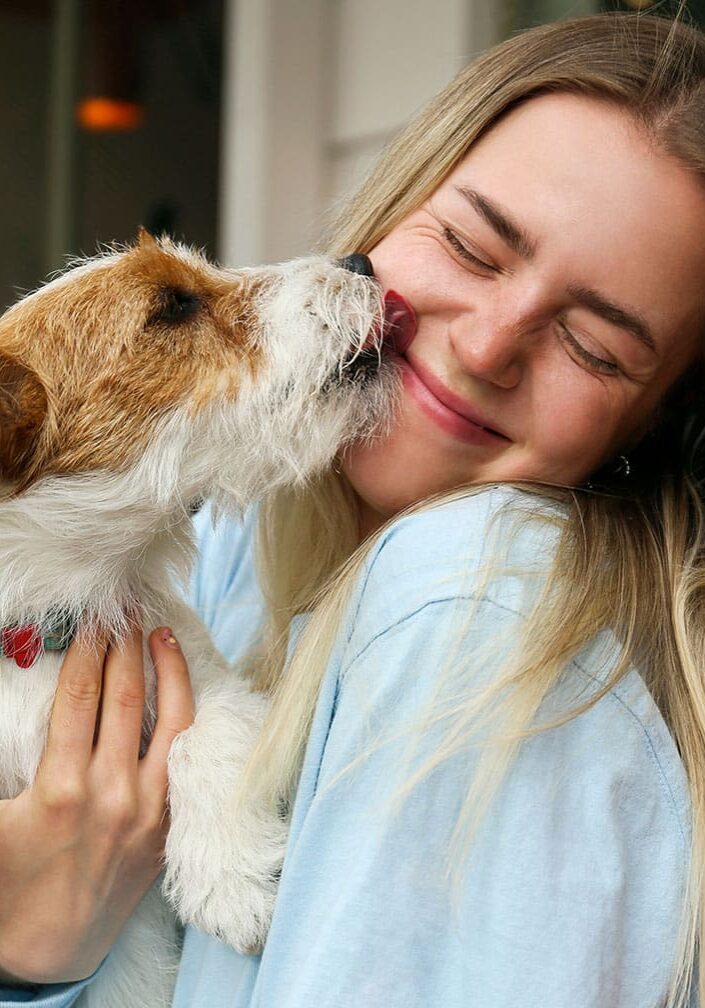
(23,414)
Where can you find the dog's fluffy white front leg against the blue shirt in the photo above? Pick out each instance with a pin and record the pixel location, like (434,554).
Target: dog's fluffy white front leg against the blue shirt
(223,853)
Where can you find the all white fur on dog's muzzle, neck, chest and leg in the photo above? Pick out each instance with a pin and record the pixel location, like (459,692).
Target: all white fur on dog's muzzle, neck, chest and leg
(95,544)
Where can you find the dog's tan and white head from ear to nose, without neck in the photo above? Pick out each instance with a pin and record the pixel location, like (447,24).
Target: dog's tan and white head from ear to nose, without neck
(276,367)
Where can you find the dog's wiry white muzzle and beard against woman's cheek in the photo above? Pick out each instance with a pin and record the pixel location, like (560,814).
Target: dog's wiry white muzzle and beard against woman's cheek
(327,382)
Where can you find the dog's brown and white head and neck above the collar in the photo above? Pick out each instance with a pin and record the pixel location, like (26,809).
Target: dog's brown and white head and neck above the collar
(144,380)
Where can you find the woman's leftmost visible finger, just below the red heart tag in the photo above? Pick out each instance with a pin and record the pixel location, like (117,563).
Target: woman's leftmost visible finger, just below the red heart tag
(73,723)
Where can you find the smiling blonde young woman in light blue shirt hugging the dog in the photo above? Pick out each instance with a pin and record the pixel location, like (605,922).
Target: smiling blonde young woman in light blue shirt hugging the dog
(491,717)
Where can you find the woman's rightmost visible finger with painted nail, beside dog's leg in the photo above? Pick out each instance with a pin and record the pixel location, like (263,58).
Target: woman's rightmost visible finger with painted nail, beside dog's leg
(175,705)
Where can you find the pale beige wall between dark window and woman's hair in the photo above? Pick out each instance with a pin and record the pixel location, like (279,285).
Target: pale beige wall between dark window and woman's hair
(314,89)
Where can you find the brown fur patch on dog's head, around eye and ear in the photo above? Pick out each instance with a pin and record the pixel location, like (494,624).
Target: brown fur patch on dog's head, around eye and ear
(90,364)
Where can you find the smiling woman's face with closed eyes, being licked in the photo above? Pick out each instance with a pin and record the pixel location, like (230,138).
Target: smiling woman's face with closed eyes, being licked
(557,278)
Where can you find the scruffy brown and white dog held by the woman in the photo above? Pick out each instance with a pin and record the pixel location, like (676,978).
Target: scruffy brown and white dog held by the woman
(130,387)
